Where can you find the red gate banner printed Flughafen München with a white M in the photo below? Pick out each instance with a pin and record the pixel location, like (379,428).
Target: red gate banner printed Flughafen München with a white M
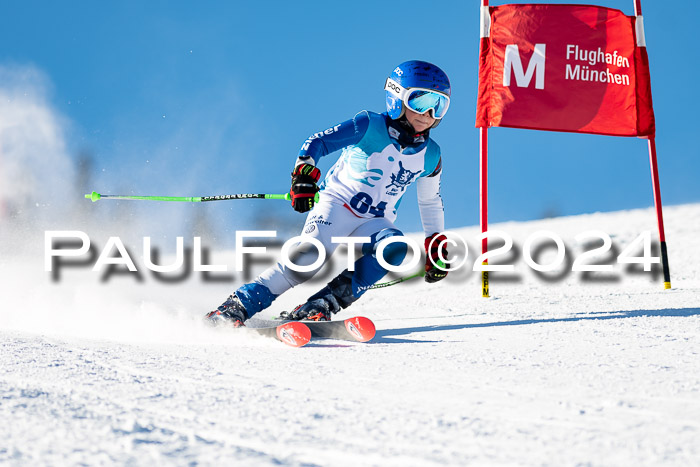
(574,68)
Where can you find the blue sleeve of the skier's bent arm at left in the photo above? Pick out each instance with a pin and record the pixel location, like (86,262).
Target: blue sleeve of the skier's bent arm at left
(334,138)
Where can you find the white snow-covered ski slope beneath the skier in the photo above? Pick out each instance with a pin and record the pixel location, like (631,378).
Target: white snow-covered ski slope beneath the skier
(559,373)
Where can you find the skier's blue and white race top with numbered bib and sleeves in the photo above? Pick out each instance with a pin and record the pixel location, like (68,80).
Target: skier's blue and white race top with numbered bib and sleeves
(373,172)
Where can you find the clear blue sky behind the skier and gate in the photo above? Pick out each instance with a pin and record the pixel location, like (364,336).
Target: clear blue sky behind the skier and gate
(203,98)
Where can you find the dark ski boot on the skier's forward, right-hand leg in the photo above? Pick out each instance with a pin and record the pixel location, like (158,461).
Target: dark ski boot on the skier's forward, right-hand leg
(326,302)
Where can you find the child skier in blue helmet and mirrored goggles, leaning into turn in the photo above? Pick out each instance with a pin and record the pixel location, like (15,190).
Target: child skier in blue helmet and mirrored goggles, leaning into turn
(382,154)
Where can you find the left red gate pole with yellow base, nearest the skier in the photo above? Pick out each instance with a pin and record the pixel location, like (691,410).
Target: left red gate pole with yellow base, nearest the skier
(483,160)
